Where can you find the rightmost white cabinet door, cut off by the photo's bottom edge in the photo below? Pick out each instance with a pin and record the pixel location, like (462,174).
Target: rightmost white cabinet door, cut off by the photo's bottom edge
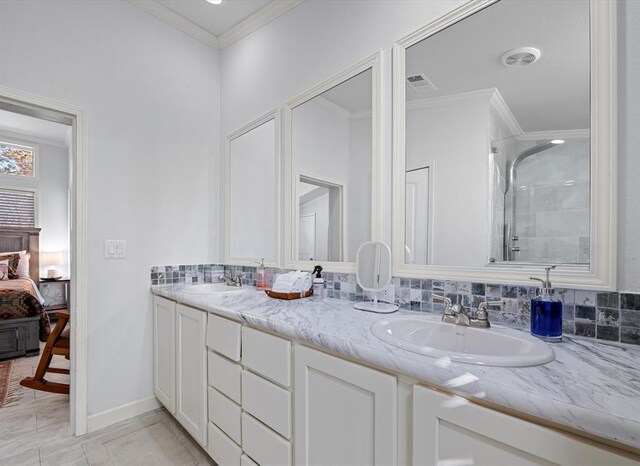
(452,430)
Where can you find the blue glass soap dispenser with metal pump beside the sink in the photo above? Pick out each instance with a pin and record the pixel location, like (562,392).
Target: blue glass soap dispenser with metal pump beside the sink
(546,312)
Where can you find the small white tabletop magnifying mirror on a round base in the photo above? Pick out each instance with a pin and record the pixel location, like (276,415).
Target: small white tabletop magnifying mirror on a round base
(373,273)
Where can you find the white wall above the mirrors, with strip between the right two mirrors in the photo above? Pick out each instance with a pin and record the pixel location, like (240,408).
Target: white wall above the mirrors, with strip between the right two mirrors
(308,45)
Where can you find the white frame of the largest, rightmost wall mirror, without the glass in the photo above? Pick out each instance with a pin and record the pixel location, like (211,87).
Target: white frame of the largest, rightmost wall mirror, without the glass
(601,274)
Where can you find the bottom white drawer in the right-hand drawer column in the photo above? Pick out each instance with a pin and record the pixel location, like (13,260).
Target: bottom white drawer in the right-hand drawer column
(263,445)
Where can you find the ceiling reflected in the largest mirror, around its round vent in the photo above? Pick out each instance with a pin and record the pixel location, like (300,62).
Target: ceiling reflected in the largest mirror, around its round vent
(550,94)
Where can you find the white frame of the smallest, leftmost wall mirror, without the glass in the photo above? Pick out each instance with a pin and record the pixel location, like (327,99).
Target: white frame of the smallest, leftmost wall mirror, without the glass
(228,258)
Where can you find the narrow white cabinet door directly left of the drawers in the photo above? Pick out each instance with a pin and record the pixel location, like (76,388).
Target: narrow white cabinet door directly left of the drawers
(191,372)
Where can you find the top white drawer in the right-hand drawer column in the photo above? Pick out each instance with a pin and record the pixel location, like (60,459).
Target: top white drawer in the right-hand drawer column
(267,355)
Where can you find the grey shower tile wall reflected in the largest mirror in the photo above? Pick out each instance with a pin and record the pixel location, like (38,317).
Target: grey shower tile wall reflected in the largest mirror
(552,204)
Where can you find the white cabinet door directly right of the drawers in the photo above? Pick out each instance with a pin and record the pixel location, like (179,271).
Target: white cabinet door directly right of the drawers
(345,413)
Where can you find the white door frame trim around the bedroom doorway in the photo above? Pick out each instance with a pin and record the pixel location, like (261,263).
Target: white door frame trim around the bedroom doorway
(78,215)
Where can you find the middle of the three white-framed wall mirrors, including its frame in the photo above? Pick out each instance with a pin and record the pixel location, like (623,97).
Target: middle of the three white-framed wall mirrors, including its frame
(331,169)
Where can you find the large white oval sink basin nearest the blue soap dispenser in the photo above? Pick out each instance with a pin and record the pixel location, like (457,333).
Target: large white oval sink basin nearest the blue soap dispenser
(490,347)
